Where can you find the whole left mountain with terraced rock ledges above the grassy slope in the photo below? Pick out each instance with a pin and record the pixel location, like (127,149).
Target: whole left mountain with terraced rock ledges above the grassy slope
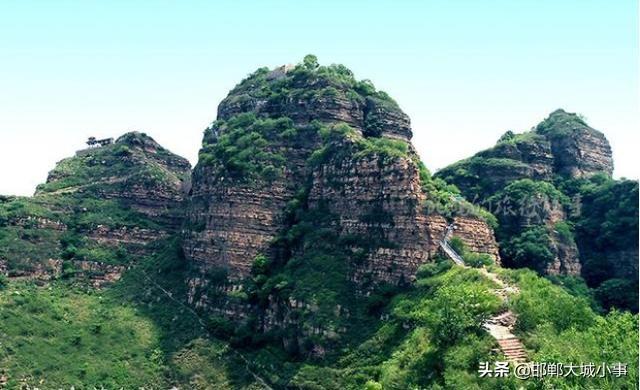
(97,212)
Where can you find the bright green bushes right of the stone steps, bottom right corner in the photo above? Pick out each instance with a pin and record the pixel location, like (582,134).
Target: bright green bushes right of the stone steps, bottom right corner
(559,327)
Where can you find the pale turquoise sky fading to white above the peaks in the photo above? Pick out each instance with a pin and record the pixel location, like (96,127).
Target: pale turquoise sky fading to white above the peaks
(464,71)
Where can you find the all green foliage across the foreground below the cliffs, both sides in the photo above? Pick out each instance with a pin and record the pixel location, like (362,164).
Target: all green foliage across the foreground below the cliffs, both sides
(430,336)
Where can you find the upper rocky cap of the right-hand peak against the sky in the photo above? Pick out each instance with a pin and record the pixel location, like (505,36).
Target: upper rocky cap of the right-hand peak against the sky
(561,145)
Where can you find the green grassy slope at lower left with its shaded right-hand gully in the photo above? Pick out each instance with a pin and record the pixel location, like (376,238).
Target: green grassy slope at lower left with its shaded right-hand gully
(130,335)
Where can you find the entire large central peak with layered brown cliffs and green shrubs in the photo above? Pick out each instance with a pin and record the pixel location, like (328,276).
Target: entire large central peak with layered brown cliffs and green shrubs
(308,174)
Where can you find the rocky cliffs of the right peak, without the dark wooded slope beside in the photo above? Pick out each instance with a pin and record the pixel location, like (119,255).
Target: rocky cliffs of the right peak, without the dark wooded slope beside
(559,149)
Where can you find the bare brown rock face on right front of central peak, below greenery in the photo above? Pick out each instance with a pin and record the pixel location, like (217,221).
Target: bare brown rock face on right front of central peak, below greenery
(381,200)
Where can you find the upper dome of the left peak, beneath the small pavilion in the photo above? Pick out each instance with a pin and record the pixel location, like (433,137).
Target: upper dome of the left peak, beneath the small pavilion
(135,171)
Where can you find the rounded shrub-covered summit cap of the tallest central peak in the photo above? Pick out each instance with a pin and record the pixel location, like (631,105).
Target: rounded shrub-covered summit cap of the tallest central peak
(309,91)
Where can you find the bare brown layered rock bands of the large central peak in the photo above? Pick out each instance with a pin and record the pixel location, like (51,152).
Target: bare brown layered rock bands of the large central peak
(229,222)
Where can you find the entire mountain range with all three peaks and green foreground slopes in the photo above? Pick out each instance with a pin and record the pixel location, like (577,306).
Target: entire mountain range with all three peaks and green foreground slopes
(311,249)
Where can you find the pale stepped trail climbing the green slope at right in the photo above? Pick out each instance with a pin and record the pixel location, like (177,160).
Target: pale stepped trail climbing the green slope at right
(499,326)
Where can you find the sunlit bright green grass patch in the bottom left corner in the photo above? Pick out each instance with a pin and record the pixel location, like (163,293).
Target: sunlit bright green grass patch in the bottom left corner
(63,337)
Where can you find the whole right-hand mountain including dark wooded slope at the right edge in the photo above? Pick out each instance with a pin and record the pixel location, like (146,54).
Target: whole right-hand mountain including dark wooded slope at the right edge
(552,186)
